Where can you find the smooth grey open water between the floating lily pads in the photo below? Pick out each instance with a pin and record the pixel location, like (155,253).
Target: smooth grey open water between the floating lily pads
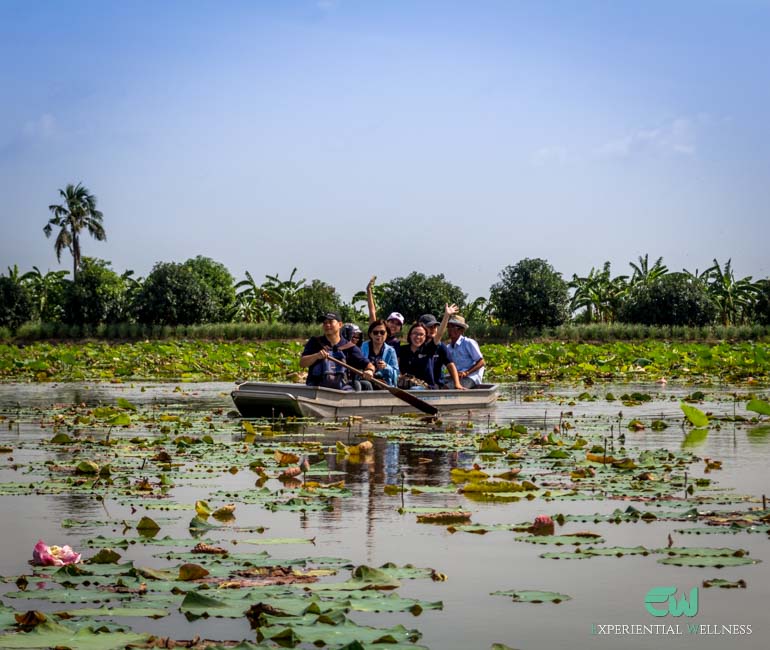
(367,529)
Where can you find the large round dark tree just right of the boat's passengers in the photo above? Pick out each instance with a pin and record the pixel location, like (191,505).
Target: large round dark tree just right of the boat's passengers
(530,294)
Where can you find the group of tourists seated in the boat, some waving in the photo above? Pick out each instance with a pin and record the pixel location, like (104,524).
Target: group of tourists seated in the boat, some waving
(422,362)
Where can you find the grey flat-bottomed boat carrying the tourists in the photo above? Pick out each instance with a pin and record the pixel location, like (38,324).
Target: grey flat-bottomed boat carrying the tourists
(263,399)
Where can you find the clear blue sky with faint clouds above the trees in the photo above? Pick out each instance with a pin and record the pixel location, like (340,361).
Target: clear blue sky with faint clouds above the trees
(351,138)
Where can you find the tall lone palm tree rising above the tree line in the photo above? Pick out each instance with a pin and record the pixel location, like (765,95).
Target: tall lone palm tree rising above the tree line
(76,213)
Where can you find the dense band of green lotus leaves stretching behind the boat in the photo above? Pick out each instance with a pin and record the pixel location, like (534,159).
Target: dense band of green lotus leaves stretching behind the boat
(187,360)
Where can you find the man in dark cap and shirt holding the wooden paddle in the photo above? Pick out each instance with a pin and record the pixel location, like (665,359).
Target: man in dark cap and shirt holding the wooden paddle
(323,371)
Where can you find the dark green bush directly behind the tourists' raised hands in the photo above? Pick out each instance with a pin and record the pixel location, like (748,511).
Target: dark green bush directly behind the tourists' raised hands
(417,294)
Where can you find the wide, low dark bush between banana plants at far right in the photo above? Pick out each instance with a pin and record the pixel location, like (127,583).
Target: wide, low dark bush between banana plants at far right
(673,299)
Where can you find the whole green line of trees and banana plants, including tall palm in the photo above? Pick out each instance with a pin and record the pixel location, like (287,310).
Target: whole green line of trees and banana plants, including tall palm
(528,296)
